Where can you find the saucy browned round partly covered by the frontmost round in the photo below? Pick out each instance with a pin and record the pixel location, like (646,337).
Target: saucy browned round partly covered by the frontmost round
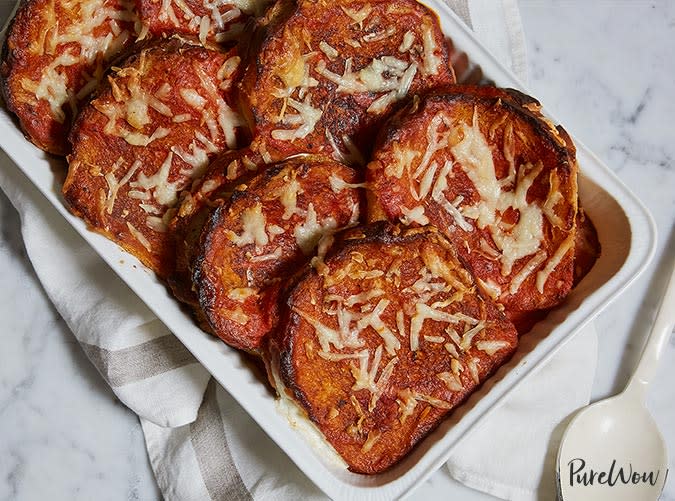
(269,228)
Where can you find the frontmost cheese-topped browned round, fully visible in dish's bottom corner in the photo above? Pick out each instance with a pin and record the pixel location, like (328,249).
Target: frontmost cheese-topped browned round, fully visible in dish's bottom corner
(367,346)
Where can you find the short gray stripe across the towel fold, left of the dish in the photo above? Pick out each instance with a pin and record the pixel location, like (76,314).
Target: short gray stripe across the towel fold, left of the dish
(141,361)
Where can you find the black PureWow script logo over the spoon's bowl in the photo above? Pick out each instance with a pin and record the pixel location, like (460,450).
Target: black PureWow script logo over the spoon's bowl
(616,474)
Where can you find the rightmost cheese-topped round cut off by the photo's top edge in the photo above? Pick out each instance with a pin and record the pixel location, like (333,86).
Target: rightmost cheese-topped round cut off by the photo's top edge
(326,73)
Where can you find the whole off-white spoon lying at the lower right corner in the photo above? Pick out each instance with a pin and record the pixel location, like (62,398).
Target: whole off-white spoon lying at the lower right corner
(613,450)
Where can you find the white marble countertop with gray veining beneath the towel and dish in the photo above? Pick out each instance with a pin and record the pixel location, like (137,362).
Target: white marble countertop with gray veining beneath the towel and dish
(605,69)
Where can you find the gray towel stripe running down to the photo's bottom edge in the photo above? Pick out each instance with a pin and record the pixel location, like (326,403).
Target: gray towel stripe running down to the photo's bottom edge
(220,474)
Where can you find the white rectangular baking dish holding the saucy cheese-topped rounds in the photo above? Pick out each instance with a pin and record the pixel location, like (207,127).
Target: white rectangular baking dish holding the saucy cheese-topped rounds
(628,239)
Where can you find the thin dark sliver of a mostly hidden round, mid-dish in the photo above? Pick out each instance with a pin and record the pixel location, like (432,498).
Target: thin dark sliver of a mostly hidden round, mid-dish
(223,175)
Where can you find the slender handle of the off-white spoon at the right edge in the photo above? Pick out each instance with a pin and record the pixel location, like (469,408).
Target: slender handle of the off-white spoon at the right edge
(656,342)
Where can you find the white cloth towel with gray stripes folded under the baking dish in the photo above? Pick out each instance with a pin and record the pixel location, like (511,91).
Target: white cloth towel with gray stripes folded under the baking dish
(200,442)
